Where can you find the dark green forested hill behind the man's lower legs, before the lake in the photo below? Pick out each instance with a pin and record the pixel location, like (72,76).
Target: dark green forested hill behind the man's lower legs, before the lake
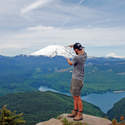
(40,106)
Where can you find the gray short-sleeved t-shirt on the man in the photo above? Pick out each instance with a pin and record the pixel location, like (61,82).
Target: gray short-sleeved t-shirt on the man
(78,63)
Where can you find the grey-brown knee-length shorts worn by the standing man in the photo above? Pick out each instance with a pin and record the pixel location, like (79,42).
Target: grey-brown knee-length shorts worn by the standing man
(76,86)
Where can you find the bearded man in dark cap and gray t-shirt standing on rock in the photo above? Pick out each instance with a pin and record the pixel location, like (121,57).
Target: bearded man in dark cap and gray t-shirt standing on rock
(77,80)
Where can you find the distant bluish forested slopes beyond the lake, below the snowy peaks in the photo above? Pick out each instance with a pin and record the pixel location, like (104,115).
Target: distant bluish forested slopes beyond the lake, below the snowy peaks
(27,73)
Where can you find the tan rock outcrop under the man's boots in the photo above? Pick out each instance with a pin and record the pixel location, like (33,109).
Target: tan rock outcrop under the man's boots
(87,120)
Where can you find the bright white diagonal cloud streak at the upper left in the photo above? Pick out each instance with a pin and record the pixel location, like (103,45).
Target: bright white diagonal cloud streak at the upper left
(37,4)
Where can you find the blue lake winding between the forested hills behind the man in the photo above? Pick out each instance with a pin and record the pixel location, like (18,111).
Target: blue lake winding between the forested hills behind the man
(104,101)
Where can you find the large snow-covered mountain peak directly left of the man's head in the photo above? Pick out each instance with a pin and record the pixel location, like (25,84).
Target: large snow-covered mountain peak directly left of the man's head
(55,50)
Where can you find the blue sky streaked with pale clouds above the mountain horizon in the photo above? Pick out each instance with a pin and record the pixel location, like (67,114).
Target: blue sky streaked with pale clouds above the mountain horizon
(29,25)
